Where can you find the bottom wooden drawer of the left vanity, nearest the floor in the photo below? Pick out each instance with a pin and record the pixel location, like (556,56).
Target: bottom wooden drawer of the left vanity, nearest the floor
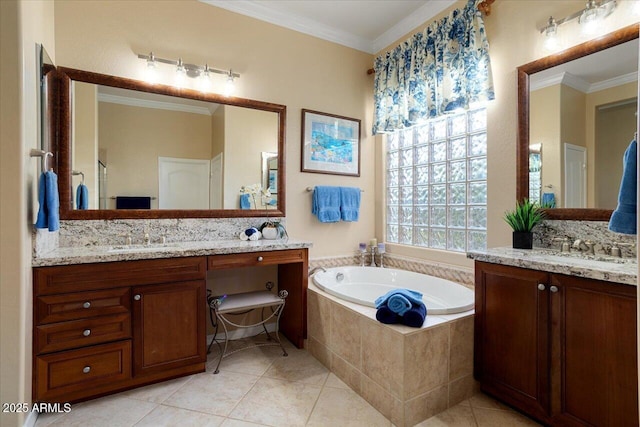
(67,375)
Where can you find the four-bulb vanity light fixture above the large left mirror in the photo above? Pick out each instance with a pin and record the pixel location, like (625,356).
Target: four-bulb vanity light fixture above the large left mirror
(184,70)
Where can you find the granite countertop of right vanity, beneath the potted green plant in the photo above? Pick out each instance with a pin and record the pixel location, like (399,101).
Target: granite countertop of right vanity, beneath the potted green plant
(600,267)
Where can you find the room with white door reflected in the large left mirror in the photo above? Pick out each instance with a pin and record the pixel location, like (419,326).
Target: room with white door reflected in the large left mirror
(164,152)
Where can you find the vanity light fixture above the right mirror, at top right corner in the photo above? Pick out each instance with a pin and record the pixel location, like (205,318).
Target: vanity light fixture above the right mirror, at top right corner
(589,18)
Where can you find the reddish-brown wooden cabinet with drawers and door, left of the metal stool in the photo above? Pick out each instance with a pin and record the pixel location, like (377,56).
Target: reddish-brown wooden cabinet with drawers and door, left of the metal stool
(103,327)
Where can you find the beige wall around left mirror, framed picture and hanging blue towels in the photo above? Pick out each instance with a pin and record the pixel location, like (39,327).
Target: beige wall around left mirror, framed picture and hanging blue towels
(276,65)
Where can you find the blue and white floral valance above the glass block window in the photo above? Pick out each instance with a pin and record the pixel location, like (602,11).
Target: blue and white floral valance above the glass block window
(441,69)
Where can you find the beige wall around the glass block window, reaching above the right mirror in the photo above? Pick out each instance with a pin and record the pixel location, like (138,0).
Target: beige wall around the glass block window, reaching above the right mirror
(514,38)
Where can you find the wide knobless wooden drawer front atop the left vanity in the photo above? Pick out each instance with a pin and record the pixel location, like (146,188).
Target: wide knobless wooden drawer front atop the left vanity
(106,275)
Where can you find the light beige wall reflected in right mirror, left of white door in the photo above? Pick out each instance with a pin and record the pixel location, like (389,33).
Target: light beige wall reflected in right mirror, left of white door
(545,129)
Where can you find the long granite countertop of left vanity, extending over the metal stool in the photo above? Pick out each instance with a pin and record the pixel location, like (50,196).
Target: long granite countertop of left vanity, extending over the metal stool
(90,254)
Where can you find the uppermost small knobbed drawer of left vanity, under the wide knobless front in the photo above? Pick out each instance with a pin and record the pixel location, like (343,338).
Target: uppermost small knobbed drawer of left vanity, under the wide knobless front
(80,305)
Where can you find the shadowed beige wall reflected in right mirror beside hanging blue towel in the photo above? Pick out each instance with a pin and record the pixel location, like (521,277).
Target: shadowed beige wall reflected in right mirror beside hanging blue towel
(615,127)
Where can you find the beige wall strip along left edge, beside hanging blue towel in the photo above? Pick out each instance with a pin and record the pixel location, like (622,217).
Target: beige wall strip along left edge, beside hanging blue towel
(22,24)
